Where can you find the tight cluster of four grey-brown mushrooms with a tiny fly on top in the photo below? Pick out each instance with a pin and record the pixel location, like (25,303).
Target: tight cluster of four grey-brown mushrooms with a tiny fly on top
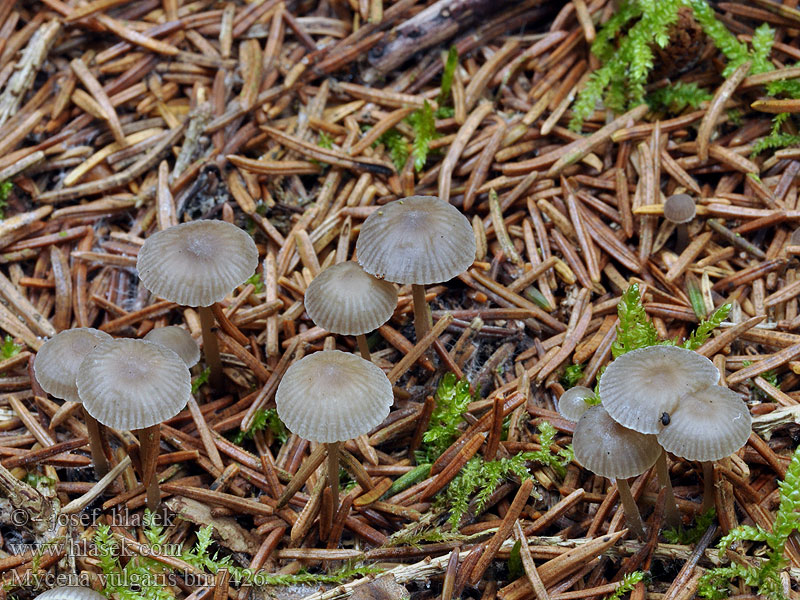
(656,400)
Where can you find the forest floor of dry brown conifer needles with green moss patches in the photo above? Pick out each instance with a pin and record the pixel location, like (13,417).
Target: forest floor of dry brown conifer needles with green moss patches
(559,130)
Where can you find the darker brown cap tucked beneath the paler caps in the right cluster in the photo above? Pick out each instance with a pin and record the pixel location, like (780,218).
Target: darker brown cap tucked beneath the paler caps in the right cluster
(610,450)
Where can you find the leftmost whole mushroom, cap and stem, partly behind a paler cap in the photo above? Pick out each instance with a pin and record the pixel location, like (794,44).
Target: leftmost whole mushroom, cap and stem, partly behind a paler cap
(56,367)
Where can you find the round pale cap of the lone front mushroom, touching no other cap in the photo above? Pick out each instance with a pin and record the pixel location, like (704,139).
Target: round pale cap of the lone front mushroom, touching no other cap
(333,396)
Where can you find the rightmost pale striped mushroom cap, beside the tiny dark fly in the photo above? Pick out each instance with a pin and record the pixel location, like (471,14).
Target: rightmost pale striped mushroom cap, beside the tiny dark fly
(709,424)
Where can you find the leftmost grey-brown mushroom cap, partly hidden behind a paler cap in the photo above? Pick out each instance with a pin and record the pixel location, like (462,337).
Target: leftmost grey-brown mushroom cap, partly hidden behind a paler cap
(59,358)
